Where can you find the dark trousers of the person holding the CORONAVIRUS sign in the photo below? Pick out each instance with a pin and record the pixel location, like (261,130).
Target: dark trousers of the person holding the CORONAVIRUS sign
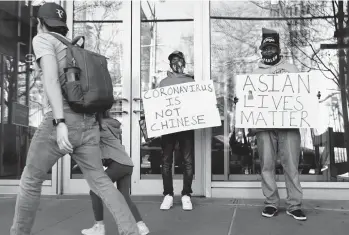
(186,145)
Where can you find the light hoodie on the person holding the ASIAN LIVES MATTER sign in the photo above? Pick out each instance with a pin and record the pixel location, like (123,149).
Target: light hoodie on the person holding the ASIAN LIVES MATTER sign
(282,67)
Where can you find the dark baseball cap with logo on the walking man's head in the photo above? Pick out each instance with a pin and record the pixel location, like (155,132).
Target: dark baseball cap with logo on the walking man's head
(53,14)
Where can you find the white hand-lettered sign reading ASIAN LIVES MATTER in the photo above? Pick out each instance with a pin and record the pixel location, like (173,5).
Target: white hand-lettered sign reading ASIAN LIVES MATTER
(277,100)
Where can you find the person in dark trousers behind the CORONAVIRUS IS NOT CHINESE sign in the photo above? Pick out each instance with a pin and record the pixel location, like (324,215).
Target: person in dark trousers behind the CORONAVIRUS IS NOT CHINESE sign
(185,140)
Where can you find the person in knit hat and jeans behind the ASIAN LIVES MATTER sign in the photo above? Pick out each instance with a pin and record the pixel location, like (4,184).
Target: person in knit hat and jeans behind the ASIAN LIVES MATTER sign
(285,142)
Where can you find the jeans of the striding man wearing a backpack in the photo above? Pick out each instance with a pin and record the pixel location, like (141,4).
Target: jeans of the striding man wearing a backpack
(43,154)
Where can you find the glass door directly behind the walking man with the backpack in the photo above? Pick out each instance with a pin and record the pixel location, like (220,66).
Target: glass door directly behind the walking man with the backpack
(107,28)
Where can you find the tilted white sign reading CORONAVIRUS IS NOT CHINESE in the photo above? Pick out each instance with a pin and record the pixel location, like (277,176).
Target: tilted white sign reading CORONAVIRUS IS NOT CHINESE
(182,107)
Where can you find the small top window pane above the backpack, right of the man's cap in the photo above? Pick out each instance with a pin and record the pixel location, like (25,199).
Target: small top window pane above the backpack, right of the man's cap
(97,10)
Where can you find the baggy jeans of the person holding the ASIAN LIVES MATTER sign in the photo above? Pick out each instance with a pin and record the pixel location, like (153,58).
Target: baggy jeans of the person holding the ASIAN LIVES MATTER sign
(286,143)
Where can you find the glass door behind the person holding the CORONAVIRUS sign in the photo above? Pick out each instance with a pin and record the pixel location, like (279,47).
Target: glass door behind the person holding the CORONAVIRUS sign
(158,29)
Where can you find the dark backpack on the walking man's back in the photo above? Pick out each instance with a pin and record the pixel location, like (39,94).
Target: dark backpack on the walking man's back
(93,91)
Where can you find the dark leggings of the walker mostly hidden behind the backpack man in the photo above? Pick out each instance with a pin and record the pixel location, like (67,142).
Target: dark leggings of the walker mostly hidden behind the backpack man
(121,174)
